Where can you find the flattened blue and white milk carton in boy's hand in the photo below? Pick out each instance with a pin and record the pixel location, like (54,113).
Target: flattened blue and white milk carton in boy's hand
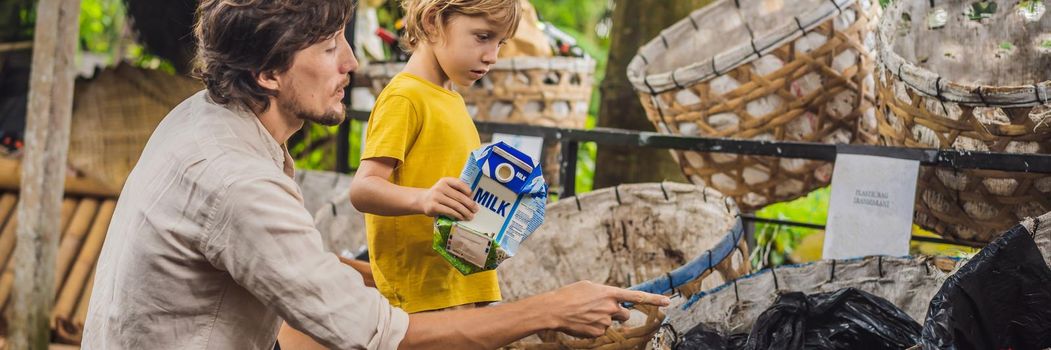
(511,195)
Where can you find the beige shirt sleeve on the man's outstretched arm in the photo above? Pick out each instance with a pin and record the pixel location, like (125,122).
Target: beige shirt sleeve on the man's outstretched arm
(264,238)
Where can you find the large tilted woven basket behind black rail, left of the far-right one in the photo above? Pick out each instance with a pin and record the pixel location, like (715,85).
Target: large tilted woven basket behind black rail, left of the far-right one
(777,70)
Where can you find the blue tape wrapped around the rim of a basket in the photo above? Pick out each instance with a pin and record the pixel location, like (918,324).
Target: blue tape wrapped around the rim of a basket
(695,269)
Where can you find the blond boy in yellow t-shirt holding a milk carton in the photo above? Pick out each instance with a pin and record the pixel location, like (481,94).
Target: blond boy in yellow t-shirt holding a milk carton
(419,139)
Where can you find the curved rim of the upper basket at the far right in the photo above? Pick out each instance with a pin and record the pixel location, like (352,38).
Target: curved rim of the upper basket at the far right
(933,85)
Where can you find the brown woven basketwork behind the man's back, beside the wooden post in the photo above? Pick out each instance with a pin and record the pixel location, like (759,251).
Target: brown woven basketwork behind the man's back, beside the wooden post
(114,116)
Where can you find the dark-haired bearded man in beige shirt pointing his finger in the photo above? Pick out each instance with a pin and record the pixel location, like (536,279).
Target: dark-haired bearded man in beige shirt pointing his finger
(211,246)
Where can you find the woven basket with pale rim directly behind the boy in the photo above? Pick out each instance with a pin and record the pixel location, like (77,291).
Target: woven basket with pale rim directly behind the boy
(532,91)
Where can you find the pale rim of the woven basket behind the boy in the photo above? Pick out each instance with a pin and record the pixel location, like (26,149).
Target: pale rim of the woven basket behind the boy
(575,65)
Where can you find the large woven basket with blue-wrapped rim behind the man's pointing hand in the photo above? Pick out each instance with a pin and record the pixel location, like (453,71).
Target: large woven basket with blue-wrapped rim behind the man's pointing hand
(662,238)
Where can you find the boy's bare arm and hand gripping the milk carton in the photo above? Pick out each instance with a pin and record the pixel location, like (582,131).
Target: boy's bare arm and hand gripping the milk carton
(372,192)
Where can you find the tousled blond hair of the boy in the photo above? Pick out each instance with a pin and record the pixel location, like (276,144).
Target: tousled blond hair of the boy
(440,12)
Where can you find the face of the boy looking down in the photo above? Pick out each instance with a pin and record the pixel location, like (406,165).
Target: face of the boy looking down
(469,48)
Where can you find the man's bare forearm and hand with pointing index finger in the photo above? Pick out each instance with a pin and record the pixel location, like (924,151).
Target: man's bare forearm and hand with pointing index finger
(583,310)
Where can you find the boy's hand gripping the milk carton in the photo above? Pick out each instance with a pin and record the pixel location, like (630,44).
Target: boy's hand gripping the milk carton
(449,197)
